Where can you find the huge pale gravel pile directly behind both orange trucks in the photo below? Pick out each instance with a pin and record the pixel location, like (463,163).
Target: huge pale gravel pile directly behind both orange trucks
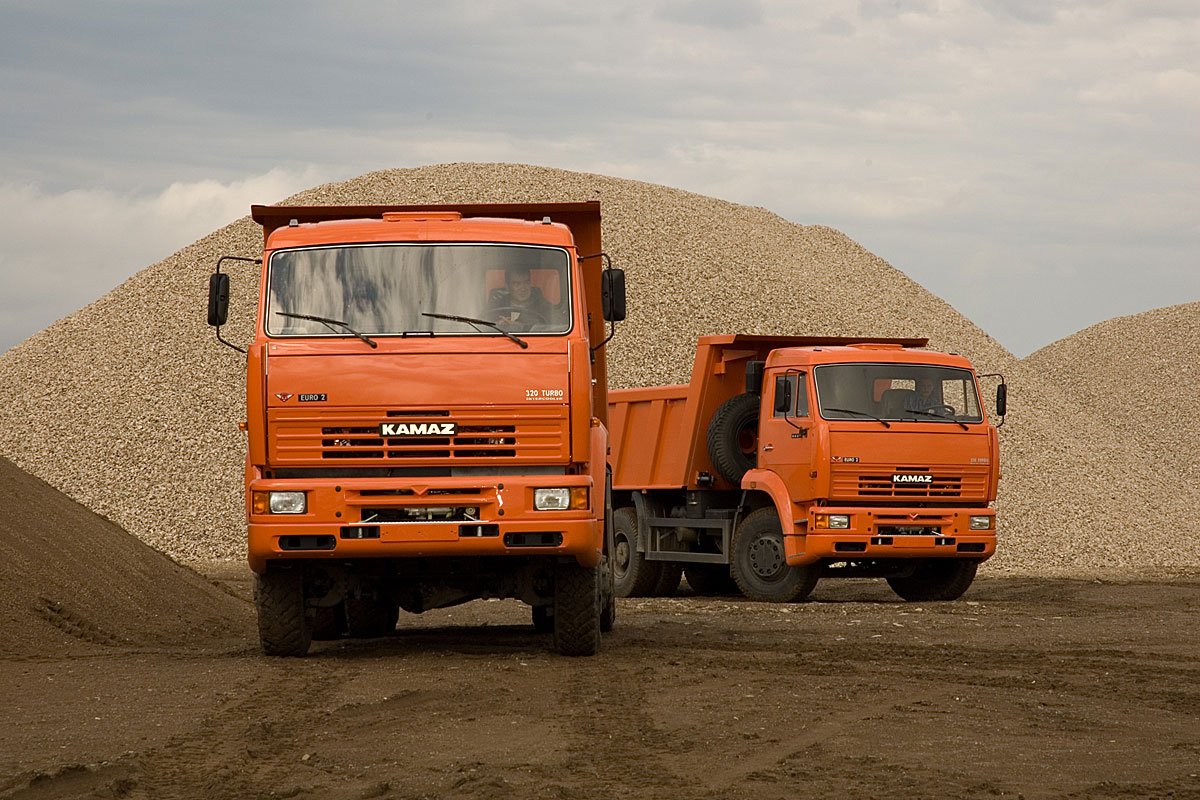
(131,407)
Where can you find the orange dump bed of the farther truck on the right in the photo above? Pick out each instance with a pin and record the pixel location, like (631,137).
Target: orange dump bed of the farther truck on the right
(659,434)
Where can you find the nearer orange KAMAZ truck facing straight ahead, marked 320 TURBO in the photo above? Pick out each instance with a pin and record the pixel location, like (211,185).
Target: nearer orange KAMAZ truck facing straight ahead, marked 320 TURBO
(427,407)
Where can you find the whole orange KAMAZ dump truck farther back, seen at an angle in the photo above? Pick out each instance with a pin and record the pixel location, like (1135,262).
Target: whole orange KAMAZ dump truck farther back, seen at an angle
(793,459)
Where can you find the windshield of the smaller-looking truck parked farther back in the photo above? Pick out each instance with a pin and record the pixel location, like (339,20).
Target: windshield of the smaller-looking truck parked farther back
(897,392)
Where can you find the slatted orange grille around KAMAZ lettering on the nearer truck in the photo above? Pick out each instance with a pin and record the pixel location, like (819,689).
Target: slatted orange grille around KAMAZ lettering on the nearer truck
(353,437)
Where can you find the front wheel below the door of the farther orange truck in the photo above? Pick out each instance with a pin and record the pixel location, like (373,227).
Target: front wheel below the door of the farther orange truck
(759,567)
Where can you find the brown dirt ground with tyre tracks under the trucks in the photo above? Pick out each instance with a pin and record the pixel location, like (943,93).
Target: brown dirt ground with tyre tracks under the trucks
(1025,689)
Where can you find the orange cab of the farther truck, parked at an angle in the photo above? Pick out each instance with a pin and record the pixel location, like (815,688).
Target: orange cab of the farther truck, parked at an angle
(879,448)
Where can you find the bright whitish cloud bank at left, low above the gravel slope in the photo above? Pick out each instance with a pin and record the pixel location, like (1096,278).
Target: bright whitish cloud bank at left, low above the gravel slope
(64,250)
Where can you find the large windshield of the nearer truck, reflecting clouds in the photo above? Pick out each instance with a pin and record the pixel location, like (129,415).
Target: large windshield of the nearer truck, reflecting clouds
(391,290)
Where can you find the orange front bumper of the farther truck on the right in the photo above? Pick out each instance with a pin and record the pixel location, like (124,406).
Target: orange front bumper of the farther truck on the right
(878,533)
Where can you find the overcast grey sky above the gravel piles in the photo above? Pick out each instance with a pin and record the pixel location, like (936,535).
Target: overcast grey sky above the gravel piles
(1033,163)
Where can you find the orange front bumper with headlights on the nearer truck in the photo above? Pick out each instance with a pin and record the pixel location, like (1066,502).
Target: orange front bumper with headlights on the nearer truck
(357,519)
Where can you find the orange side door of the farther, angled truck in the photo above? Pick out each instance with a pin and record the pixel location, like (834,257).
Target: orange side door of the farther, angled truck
(785,444)
